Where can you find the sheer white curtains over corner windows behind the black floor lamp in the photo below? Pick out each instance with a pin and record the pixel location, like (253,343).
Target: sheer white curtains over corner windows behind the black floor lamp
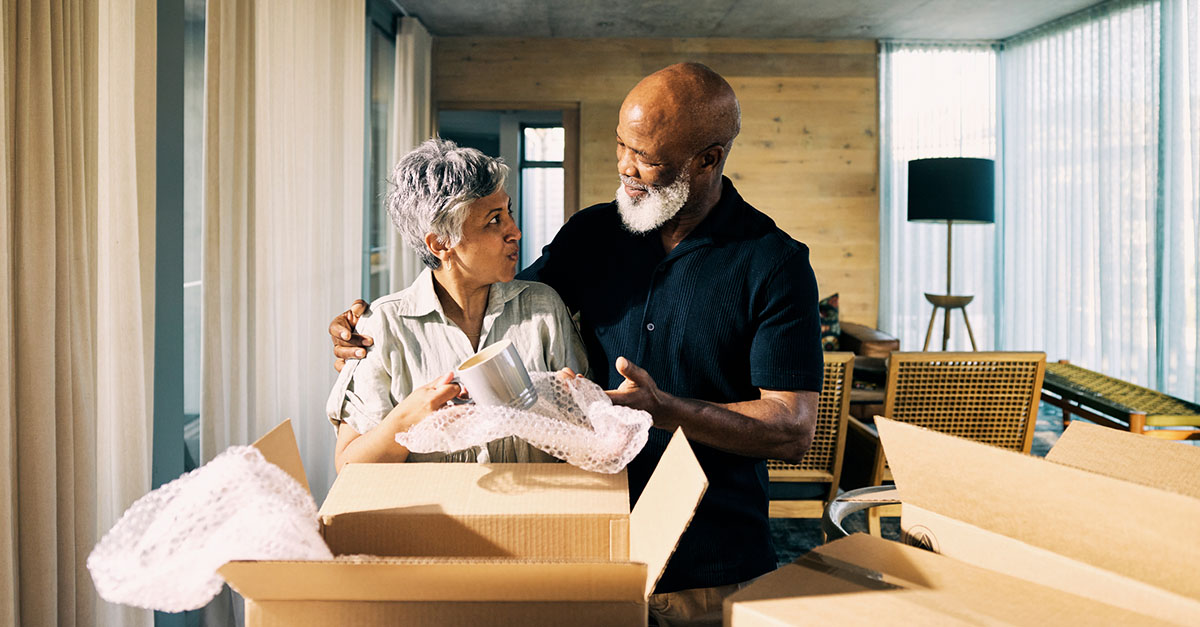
(1097,140)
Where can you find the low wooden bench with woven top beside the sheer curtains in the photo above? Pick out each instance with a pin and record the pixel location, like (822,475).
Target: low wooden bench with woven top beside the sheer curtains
(1119,404)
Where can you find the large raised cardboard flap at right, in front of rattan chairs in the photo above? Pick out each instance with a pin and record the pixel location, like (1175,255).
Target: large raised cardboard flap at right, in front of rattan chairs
(1132,545)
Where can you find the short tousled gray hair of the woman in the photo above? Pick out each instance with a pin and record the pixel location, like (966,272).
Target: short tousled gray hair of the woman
(431,189)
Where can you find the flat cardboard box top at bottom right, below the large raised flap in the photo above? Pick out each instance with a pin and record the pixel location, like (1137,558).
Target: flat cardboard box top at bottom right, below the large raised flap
(868,581)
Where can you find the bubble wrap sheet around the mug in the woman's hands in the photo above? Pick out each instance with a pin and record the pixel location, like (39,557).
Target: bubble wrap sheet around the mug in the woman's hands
(573,421)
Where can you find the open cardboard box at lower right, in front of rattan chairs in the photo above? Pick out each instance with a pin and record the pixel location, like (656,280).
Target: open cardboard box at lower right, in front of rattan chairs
(1108,523)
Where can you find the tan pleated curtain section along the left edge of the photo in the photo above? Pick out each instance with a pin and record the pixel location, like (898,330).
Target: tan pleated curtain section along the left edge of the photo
(47,298)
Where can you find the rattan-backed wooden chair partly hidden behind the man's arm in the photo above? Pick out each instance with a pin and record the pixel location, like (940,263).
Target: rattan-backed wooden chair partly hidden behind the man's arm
(805,489)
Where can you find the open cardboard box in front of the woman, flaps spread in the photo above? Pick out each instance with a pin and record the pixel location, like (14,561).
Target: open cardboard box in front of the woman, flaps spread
(477,545)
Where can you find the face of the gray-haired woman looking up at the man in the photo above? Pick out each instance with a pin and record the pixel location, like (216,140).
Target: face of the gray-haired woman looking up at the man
(489,249)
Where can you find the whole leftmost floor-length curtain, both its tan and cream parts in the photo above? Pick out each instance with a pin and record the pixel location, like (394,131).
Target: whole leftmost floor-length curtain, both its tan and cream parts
(76,140)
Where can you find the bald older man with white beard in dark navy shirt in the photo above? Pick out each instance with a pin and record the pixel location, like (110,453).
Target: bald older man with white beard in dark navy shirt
(706,315)
